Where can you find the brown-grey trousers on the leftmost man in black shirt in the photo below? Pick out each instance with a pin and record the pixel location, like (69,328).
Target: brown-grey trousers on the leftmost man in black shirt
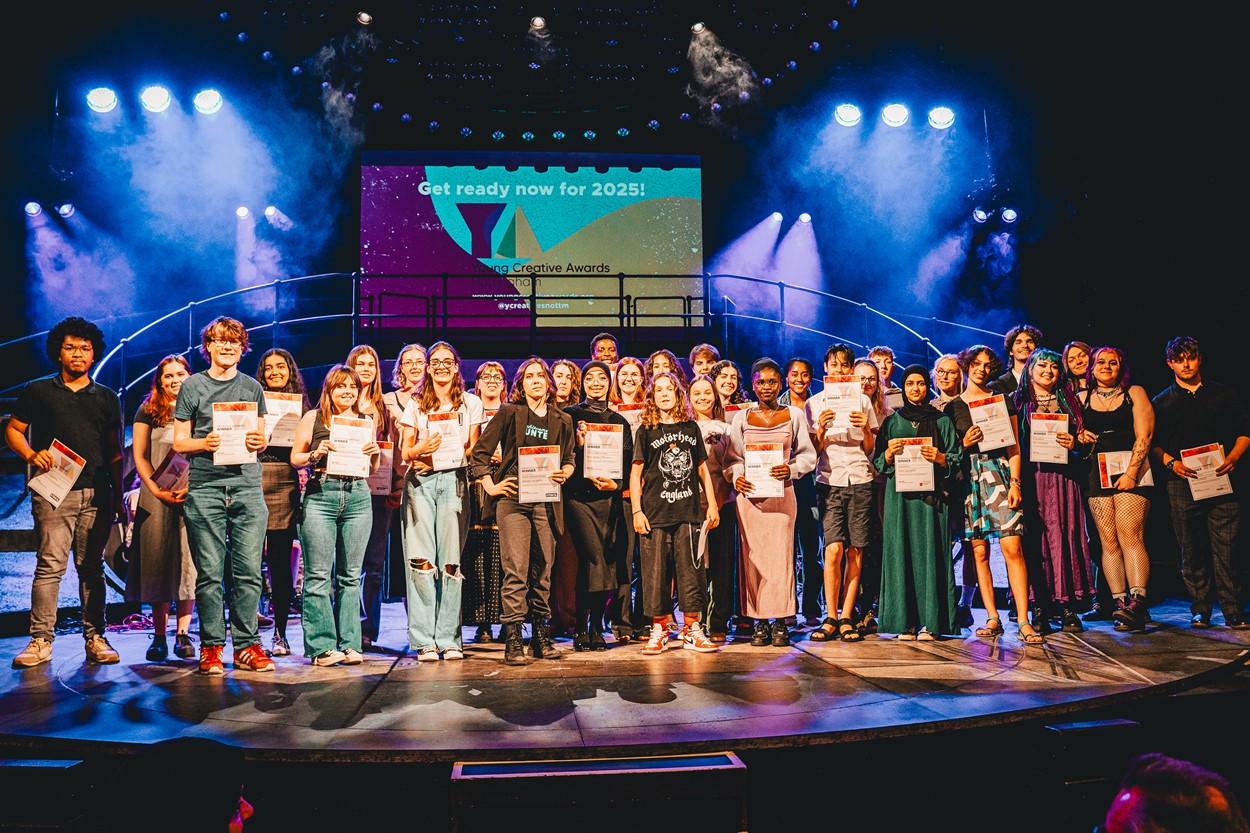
(82,523)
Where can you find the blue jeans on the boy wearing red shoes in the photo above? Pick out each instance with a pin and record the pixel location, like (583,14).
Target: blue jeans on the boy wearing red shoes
(227,521)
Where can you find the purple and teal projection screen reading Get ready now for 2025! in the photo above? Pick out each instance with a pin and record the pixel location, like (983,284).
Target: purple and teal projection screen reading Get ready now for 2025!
(564,227)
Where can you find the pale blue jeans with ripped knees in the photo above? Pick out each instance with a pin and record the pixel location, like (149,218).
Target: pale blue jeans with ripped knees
(436,530)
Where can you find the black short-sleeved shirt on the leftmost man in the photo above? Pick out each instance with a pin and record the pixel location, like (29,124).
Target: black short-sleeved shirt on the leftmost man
(88,422)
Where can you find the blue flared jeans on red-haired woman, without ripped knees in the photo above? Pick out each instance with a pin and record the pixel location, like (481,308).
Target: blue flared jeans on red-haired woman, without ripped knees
(336,521)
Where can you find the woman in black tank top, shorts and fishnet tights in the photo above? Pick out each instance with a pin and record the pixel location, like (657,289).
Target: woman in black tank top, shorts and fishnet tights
(1119,422)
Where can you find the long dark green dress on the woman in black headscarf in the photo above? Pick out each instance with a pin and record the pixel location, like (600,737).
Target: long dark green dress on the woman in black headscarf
(918,581)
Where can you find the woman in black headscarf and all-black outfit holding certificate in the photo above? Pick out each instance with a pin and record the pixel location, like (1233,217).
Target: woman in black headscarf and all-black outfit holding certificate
(596,517)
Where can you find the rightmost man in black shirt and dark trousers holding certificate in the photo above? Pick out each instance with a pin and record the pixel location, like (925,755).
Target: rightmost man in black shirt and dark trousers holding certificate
(1198,420)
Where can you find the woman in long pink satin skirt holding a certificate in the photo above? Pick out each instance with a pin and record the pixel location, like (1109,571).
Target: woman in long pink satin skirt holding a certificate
(771,446)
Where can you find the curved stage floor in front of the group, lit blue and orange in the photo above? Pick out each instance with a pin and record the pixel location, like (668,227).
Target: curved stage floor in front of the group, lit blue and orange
(611,704)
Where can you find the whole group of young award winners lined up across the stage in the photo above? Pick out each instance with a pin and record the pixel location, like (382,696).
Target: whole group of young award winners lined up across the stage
(624,495)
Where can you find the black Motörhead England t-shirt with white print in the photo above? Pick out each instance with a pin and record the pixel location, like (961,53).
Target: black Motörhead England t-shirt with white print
(671,456)
